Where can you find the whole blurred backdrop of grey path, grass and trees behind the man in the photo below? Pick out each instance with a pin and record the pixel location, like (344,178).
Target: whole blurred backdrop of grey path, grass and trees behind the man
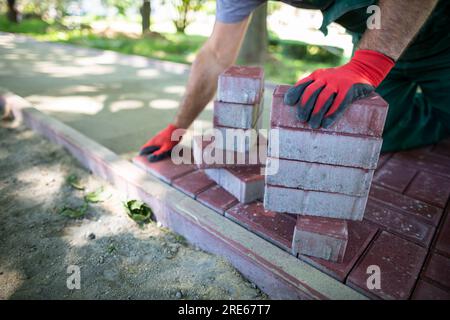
(116,70)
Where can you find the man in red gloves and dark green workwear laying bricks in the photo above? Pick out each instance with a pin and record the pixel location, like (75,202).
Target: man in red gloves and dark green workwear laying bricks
(406,60)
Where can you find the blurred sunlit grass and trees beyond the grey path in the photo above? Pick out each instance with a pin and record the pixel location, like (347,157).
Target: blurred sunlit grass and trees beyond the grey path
(285,39)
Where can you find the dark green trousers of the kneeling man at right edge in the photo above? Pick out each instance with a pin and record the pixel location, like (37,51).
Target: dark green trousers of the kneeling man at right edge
(418,93)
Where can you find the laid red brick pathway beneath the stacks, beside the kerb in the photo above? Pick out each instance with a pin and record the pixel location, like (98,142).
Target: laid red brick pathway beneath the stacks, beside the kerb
(405,231)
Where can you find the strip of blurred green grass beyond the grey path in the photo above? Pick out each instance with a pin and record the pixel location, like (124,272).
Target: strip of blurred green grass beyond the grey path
(287,60)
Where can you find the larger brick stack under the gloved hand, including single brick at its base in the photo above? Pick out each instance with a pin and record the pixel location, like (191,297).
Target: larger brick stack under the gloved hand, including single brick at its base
(324,175)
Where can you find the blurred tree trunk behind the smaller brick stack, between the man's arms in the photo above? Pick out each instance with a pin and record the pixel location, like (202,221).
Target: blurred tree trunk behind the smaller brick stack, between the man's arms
(254,47)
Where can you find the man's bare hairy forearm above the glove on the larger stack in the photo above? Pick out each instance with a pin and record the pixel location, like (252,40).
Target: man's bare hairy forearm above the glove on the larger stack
(400,22)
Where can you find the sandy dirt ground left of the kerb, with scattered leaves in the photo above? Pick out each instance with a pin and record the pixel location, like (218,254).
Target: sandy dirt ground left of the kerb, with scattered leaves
(116,257)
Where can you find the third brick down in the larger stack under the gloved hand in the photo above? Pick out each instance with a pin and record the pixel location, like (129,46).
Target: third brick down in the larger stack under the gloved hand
(318,177)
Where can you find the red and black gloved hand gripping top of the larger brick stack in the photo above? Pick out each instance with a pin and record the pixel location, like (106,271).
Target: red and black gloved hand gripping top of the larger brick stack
(323,96)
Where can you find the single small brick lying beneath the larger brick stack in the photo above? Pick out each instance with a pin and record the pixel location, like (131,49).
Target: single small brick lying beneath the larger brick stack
(319,237)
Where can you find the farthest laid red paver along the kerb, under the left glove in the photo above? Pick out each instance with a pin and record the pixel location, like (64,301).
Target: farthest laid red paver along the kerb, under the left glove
(165,169)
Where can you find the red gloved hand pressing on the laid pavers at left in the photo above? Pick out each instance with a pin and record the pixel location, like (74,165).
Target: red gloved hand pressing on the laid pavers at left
(160,146)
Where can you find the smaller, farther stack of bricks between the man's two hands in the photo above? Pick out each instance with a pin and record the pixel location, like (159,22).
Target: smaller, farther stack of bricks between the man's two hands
(237,118)
